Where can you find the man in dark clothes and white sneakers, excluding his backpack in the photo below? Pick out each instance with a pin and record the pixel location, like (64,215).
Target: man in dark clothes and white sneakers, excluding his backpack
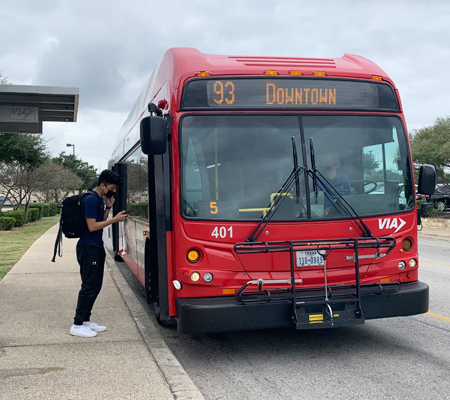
(91,253)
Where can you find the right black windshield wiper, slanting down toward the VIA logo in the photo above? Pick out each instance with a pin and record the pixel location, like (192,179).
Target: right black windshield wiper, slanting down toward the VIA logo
(335,195)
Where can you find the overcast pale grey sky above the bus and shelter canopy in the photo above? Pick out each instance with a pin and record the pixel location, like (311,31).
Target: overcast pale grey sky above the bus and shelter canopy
(108,49)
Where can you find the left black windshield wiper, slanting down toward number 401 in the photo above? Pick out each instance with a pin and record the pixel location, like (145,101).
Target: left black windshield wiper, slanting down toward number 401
(293,177)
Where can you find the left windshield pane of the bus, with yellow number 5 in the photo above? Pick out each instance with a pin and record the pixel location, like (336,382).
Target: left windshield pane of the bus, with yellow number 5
(233,166)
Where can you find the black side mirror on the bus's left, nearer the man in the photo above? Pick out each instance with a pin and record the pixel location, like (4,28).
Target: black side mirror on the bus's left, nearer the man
(153,132)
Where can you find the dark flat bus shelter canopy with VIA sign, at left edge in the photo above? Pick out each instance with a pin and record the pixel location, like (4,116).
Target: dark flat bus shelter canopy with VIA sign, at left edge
(24,108)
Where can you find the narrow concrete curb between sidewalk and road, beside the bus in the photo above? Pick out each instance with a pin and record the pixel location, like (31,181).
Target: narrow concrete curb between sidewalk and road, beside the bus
(176,377)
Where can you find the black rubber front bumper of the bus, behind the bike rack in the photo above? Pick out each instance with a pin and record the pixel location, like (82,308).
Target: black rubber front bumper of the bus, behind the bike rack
(225,314)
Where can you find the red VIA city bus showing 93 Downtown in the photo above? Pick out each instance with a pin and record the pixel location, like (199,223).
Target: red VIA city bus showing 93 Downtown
(270,192)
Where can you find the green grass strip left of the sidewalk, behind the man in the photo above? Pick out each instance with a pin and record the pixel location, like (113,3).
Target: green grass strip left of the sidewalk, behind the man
(14,243)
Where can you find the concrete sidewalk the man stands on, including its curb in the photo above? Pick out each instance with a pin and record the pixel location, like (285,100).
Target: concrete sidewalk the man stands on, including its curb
(40,360)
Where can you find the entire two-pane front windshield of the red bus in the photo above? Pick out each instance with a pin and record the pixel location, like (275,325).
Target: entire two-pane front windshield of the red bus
(232,166)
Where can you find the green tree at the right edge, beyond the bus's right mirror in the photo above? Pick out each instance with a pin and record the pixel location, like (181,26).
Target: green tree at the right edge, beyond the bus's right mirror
(431,145)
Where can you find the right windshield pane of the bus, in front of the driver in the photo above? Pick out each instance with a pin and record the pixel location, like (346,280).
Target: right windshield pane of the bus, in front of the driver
(371,156)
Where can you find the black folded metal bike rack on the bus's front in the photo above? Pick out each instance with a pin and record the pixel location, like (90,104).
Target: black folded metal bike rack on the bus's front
(310,308)
